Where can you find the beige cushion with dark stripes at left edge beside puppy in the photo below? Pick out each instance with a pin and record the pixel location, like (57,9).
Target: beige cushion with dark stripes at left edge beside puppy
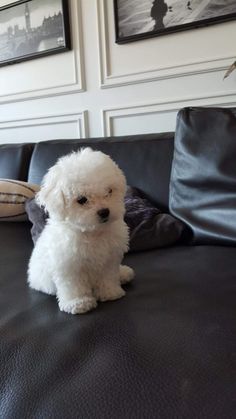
(13,194)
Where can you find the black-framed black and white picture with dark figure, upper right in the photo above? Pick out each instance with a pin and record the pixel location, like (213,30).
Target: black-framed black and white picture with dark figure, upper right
(138,19)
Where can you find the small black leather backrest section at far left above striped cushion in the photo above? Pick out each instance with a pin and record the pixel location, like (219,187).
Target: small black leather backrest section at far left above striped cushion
(14,161)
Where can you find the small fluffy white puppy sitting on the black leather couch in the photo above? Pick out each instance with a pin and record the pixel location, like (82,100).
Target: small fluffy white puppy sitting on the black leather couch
(77,257)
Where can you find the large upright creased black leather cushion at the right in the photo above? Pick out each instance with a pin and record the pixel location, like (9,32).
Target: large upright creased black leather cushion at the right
(203,179)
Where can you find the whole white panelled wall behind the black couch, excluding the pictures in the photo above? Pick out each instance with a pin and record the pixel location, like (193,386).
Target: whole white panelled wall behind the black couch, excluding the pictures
(101,88)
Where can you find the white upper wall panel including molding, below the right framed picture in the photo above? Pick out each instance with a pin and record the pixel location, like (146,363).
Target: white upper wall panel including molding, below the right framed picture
(125,64)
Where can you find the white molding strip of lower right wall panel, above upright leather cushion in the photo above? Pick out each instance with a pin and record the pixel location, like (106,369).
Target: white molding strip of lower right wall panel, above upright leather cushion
(109,115)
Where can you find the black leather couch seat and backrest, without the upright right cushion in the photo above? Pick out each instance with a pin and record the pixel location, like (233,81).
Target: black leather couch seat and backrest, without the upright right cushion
(166,350)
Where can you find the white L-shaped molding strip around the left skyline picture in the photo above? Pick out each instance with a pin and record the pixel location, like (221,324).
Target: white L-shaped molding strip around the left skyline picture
(76,85)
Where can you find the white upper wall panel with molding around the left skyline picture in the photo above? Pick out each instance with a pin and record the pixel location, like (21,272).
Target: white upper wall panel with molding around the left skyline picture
(47,76)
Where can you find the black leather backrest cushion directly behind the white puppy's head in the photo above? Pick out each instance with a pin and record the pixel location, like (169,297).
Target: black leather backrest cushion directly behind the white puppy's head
(145,159)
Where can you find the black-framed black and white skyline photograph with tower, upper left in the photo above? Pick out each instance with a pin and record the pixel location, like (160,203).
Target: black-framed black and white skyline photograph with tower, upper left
(33,28)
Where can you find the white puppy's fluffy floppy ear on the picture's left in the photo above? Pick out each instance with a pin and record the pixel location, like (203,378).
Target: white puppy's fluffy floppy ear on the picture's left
(51,194)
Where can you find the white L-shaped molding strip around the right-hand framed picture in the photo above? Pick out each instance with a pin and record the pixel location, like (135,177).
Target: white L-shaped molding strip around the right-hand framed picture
(109,80)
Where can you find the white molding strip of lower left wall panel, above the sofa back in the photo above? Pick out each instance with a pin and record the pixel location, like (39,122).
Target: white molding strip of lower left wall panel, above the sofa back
(80,118)
